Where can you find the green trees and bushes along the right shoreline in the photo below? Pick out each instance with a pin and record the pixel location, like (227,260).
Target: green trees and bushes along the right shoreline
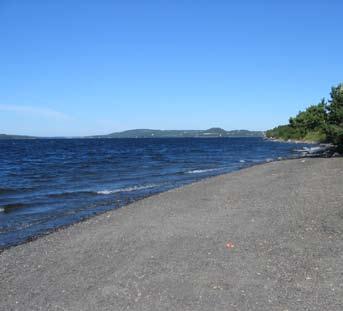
(322,122)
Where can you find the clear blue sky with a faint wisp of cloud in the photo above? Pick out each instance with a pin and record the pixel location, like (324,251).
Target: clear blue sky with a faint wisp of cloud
(79,67)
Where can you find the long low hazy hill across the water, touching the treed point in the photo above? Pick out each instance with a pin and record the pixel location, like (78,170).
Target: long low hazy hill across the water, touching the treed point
(212,132)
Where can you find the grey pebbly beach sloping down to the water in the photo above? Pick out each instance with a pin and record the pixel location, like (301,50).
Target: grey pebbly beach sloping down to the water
(269,237)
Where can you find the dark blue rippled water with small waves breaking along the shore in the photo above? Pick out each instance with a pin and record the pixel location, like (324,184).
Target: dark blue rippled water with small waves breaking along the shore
(45,184)
